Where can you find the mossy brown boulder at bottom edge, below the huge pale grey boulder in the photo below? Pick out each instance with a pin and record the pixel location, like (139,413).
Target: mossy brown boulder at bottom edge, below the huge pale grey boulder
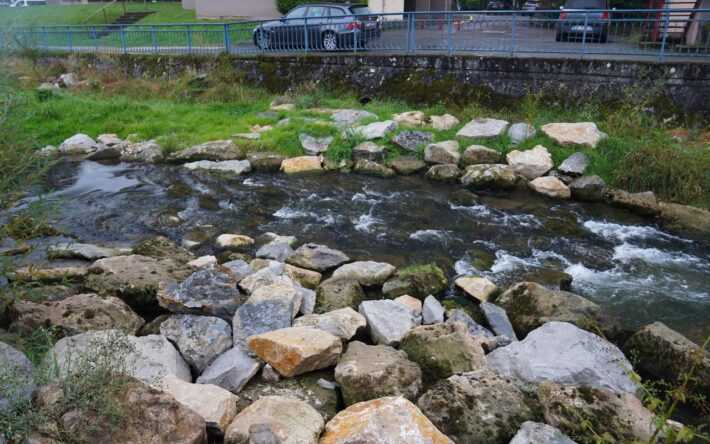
(588,412)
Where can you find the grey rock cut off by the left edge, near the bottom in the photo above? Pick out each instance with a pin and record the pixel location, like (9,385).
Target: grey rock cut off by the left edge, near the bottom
(17,381)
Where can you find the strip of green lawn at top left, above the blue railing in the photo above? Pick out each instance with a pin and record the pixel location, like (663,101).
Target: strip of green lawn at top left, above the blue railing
(168,12)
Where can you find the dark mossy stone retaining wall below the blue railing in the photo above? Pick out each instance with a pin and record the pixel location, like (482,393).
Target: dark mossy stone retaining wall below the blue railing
(494,81)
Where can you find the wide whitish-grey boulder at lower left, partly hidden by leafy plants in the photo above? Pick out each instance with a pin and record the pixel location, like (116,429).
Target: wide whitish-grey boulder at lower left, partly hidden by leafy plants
(146,357)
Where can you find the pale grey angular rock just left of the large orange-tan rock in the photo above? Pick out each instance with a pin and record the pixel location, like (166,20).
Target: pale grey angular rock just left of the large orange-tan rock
(231,370)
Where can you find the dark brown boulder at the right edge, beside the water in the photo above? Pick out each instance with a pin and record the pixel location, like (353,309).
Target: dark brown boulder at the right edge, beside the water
(666,354)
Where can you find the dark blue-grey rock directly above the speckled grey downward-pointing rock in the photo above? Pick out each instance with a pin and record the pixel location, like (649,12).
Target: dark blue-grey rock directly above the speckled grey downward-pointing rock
(211,291)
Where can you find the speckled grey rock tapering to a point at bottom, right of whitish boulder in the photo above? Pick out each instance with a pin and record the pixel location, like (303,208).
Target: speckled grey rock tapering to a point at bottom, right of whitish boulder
(199,339)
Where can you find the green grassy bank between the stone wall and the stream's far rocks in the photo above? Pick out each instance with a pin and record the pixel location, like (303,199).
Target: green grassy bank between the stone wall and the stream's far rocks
(641,153)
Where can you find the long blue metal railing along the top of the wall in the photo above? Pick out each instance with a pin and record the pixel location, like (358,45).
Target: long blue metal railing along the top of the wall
(653,34)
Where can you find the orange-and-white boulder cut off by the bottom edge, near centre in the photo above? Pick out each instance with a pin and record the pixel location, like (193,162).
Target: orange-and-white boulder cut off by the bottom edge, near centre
(390,420)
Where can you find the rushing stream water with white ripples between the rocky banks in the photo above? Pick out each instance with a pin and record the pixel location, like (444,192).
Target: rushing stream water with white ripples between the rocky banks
(641,274)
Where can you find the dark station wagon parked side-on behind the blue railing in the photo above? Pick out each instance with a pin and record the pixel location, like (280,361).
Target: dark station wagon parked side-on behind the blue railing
(324,26)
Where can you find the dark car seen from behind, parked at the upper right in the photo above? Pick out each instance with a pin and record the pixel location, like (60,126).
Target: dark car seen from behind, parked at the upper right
(571,23)
